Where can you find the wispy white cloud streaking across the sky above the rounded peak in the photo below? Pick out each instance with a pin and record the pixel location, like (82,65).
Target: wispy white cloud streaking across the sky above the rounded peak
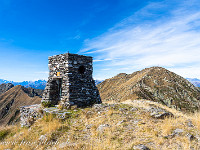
(160,34)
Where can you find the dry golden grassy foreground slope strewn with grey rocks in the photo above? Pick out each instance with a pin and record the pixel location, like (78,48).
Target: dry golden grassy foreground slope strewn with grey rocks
(132,125)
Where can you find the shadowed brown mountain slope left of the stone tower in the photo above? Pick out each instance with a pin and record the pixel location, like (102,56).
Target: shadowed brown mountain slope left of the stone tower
(12,99)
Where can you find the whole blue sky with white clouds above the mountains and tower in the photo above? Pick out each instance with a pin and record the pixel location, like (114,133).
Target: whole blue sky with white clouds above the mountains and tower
(121,35)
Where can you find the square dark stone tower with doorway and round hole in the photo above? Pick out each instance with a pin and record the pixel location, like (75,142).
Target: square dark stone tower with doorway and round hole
(70,81)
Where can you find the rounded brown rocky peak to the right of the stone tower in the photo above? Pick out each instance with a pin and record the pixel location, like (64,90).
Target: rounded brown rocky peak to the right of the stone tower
(156,84)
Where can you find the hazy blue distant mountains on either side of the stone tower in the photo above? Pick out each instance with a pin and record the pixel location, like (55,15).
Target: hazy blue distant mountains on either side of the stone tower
(39,84)
